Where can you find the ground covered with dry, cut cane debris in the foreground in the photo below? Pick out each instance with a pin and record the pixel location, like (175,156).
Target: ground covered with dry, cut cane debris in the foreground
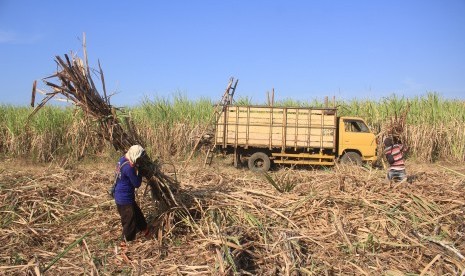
(324,221)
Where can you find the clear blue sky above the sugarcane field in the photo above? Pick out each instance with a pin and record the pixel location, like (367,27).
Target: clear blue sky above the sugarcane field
(303,49)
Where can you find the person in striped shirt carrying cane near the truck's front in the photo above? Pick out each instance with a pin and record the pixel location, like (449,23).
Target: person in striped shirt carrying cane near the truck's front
(394,155)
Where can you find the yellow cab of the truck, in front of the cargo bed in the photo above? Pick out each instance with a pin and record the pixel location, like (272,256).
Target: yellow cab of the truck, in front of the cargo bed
(355,135)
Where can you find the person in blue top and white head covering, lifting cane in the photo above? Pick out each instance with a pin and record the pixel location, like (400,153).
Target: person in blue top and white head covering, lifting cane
(132,218)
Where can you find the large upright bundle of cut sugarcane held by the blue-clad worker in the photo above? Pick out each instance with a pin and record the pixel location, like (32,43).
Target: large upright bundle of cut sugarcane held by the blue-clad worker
(73,80)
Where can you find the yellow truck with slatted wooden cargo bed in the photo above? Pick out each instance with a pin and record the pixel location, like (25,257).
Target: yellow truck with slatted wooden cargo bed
(262,135)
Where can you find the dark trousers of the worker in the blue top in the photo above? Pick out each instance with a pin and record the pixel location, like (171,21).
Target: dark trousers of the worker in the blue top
(132,220)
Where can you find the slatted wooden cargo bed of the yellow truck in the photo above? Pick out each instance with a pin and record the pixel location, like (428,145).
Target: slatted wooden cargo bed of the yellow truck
(276,127)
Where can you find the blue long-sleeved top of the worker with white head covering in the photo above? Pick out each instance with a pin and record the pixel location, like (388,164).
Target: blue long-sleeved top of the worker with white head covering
(126,184)
